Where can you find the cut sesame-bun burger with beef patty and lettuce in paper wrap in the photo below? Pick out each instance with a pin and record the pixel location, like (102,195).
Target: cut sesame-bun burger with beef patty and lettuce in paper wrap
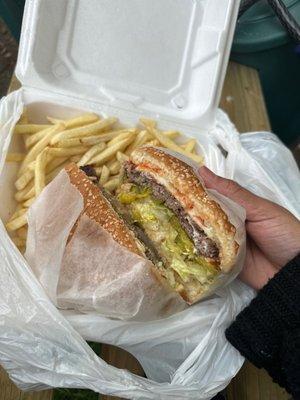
(162,212)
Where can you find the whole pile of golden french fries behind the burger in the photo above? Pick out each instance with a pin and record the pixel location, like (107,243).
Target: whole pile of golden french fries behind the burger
(85,140)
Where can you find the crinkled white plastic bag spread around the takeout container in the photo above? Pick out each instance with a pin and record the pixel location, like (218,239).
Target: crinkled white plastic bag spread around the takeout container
(185,356)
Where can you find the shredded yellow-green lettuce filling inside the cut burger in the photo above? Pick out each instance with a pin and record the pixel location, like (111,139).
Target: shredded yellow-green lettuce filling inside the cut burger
(164,229)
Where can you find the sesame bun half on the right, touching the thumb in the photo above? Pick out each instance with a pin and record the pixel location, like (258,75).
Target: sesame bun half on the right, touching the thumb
(184,185)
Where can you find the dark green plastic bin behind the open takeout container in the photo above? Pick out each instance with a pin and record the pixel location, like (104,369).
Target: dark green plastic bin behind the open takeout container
(262,43)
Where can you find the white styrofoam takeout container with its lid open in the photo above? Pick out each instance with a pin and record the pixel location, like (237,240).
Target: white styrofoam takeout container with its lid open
(126,58)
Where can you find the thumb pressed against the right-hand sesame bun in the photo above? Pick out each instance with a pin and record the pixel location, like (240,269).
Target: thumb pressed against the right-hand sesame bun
(255,206)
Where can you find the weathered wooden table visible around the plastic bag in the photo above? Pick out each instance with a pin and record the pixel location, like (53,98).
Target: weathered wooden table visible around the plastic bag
(242,99)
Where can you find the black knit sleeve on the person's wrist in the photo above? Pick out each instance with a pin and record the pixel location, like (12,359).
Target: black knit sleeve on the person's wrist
(267,332)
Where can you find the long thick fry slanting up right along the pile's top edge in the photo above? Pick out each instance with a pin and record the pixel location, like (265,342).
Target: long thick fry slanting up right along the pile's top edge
(83,131)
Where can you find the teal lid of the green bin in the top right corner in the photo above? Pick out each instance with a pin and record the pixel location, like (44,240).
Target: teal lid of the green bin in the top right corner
(259,28)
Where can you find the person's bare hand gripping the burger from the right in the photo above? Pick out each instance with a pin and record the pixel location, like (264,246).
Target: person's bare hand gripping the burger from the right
(273,233)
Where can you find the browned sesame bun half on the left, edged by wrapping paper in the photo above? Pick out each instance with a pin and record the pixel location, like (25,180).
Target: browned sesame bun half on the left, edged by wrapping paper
(97,208)
